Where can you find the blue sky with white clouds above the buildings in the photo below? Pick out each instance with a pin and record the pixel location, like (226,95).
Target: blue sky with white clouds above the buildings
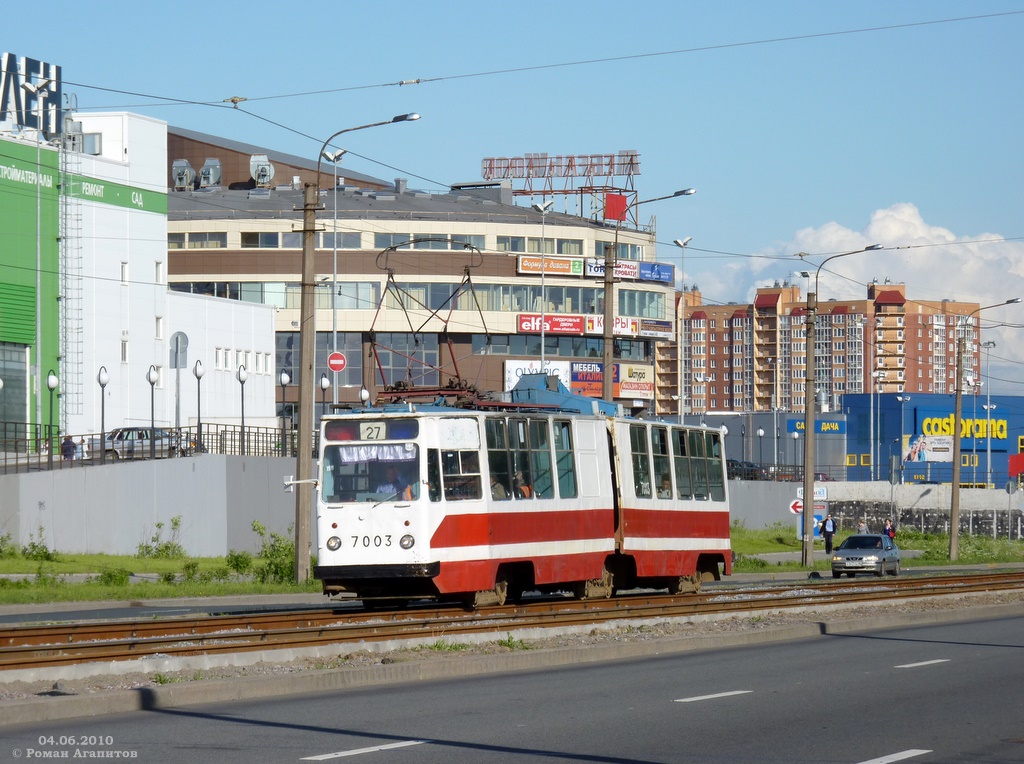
(805,126)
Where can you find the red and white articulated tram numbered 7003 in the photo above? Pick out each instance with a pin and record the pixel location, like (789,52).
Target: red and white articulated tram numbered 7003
(484,502)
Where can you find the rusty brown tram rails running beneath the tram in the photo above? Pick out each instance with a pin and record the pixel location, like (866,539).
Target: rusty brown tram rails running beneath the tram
(81,643)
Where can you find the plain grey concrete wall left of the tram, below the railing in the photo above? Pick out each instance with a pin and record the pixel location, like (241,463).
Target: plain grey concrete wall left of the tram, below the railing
(114,508)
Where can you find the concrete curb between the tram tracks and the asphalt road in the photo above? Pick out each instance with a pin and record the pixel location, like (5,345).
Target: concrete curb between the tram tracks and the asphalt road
(226,691)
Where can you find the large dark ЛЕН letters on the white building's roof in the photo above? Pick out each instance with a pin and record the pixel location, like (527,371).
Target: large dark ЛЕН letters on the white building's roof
(30,94)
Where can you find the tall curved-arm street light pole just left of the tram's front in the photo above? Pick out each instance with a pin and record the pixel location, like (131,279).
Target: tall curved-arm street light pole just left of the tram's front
(308,356)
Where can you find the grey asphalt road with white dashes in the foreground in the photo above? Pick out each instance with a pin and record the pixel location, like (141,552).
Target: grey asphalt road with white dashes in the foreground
(936,694)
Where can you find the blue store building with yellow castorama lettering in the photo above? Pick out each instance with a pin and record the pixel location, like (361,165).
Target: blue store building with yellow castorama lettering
(913,435)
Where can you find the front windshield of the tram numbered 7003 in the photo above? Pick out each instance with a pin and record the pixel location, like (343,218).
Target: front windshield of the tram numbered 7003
(371,473)
